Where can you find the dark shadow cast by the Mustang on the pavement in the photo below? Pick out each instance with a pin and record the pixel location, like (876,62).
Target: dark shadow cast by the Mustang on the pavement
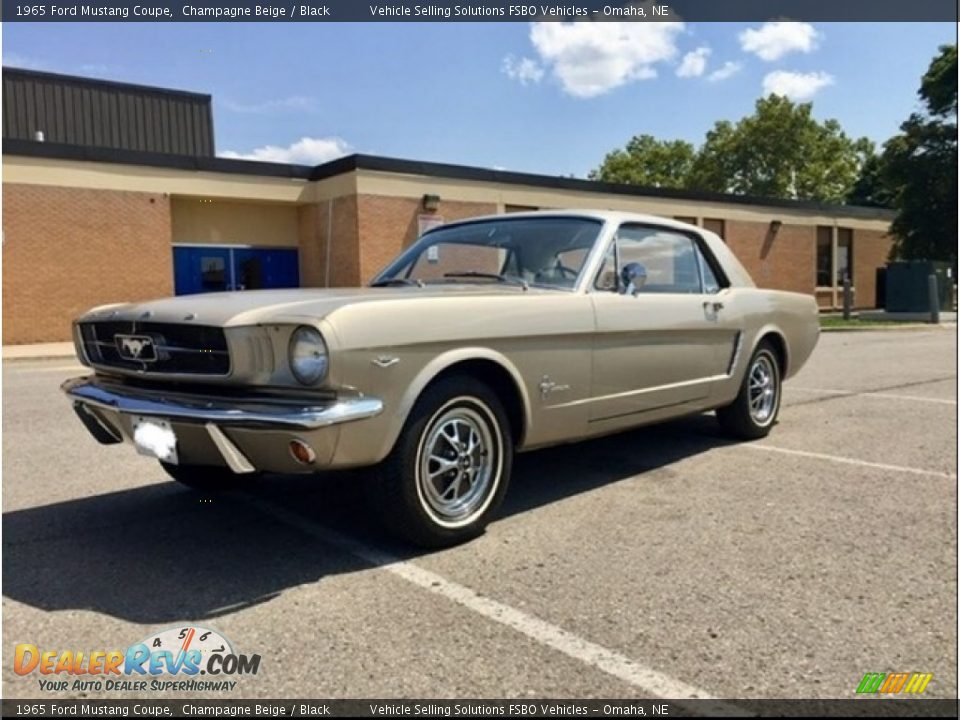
(160,553)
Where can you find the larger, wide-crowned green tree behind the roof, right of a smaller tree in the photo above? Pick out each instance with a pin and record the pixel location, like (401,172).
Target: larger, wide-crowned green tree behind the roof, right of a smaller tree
(780,151)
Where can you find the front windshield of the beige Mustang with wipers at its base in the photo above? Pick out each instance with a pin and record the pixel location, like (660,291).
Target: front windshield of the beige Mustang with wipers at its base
(545,251)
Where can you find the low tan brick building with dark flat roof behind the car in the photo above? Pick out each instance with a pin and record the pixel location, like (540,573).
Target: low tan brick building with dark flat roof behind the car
(126,213)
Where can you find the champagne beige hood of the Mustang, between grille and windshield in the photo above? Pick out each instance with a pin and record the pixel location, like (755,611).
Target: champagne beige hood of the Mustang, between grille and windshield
(251,307)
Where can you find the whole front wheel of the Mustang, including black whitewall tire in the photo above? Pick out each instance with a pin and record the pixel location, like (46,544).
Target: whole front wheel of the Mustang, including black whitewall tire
(448,473)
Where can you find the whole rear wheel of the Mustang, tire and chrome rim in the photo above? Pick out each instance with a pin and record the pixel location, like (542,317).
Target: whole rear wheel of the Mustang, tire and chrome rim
(752,414)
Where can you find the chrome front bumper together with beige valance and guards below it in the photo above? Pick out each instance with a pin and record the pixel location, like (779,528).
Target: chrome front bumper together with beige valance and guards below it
(216,428)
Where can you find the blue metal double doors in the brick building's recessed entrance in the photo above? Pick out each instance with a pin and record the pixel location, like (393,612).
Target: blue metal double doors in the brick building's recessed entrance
(218,269)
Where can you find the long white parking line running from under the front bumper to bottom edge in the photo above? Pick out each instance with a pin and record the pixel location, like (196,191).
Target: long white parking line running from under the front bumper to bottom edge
(648,681)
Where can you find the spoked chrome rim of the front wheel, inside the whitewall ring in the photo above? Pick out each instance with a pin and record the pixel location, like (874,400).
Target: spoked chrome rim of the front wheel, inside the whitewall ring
(456,467)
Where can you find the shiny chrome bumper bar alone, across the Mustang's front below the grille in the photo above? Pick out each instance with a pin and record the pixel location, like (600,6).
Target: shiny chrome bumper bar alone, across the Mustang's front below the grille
(221,411)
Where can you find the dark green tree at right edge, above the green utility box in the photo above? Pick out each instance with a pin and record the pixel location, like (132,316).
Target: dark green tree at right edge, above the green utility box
(920,168)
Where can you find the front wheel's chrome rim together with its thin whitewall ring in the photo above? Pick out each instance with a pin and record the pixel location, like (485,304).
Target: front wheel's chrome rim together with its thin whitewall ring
(459,462)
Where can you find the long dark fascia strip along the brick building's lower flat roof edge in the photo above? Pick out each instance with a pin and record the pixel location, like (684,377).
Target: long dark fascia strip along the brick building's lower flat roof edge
(350,163)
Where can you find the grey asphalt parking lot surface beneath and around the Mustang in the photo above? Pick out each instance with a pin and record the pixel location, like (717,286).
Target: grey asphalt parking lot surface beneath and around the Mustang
(661,562)
